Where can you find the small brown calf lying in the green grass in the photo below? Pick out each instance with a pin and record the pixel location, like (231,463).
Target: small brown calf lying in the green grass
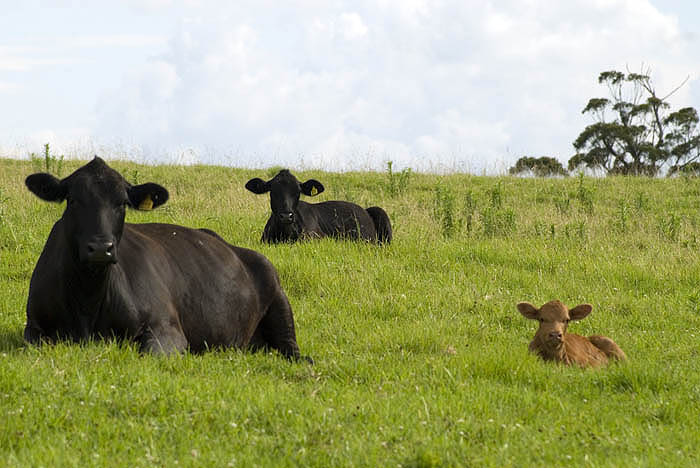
(552,343)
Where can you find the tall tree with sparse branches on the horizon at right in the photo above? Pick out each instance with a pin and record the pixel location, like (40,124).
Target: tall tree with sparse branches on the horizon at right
(643,136)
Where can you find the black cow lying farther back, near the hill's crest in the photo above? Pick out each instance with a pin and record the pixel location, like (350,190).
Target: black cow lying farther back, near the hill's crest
(292,218)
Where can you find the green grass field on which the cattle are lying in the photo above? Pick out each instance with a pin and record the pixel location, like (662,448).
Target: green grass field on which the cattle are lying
(421,356)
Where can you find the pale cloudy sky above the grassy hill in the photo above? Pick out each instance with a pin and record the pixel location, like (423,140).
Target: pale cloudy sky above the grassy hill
(437,86)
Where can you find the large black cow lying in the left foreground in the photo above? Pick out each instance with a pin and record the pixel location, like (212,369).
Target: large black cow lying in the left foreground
(167,287)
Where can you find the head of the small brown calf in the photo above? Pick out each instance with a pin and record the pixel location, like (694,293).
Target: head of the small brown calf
(554,317)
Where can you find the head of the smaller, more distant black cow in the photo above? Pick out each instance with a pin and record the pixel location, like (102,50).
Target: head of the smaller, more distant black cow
(284,190)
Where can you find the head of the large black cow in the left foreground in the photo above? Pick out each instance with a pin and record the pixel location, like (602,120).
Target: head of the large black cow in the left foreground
(96,199)
